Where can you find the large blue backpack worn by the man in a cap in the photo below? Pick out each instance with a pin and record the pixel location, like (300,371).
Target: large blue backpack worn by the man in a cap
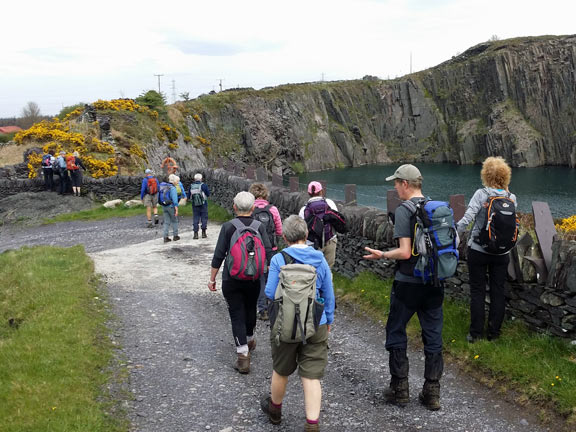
(434,241)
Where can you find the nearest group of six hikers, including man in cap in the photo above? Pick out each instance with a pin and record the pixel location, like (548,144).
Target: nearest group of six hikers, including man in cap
(294,285)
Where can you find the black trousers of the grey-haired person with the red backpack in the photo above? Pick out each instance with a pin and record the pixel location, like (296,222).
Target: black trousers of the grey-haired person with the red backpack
(241,297)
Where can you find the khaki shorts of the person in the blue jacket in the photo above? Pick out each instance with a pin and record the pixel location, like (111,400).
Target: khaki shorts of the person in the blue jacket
(310,359)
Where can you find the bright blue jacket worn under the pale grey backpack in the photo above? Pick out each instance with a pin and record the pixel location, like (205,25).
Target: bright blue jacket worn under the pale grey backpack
(306,255)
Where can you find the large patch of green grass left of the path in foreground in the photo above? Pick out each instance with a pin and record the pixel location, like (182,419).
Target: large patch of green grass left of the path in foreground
(54,349)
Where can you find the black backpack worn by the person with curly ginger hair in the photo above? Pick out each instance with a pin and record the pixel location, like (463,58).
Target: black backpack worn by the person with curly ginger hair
(499,232)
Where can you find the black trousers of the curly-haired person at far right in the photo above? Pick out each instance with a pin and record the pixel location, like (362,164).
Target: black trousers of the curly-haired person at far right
(485,268)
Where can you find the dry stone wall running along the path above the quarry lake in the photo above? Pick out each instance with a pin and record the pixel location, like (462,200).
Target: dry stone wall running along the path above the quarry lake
(550,307)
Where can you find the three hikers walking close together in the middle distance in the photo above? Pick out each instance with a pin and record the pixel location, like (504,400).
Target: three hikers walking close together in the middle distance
(170,195)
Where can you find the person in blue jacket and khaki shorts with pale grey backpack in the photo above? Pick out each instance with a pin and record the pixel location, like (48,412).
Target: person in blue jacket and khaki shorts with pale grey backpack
(311,357)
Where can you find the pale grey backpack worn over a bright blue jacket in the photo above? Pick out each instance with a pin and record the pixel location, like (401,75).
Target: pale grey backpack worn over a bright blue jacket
(295,312)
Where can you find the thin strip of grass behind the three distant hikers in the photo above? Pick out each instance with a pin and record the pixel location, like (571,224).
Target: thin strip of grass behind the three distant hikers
(215,213)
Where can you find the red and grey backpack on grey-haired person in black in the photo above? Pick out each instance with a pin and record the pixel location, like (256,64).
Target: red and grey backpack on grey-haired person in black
(246,257)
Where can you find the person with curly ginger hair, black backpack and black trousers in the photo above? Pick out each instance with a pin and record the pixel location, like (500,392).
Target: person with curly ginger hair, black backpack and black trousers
(495,175)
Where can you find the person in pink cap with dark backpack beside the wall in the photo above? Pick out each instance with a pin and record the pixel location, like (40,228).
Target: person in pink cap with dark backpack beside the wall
(317,205)
